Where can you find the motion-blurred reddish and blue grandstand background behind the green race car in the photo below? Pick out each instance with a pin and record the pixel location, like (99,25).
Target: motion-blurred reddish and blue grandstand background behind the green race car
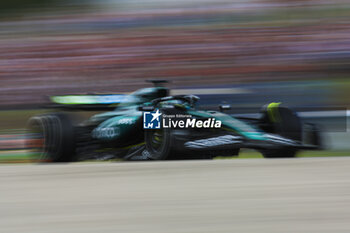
(243,52)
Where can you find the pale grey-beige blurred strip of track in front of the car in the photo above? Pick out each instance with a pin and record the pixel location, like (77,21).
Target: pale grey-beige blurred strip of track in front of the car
(248,195)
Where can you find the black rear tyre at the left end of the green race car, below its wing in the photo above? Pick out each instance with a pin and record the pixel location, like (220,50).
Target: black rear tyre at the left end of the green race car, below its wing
(56,137)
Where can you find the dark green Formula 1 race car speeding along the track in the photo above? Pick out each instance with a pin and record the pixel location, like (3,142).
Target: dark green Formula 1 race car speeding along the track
(181,132)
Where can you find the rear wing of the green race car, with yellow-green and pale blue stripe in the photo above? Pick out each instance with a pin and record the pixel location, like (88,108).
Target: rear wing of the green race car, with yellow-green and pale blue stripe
(86,101)
